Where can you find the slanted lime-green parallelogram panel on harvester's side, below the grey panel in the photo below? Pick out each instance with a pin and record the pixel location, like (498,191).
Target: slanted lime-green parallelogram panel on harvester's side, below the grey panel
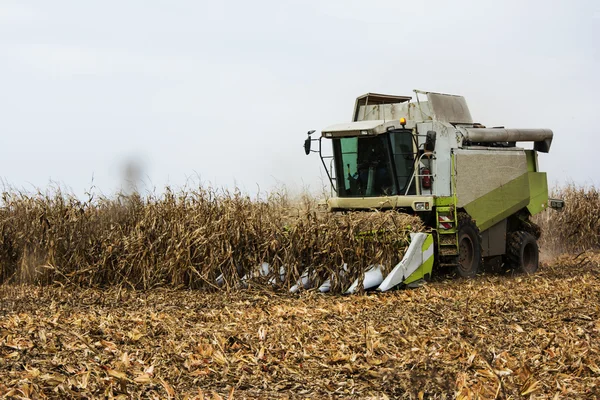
(500,203)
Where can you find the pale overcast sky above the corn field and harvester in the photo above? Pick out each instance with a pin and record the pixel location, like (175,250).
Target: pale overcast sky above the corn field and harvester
(226,90)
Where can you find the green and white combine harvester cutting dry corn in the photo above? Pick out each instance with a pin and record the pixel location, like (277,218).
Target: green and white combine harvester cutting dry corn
(471,185)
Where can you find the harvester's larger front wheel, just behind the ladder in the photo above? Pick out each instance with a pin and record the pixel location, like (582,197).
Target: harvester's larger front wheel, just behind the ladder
(469,247)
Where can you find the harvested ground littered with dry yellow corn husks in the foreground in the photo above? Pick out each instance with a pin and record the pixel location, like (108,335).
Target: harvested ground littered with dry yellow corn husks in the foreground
(497,336)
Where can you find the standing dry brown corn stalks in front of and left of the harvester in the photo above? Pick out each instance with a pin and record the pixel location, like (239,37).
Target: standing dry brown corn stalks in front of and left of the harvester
(188,239)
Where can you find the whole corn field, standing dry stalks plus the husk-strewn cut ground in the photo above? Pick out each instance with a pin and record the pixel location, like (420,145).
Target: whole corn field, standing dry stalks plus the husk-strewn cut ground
(73,323)
